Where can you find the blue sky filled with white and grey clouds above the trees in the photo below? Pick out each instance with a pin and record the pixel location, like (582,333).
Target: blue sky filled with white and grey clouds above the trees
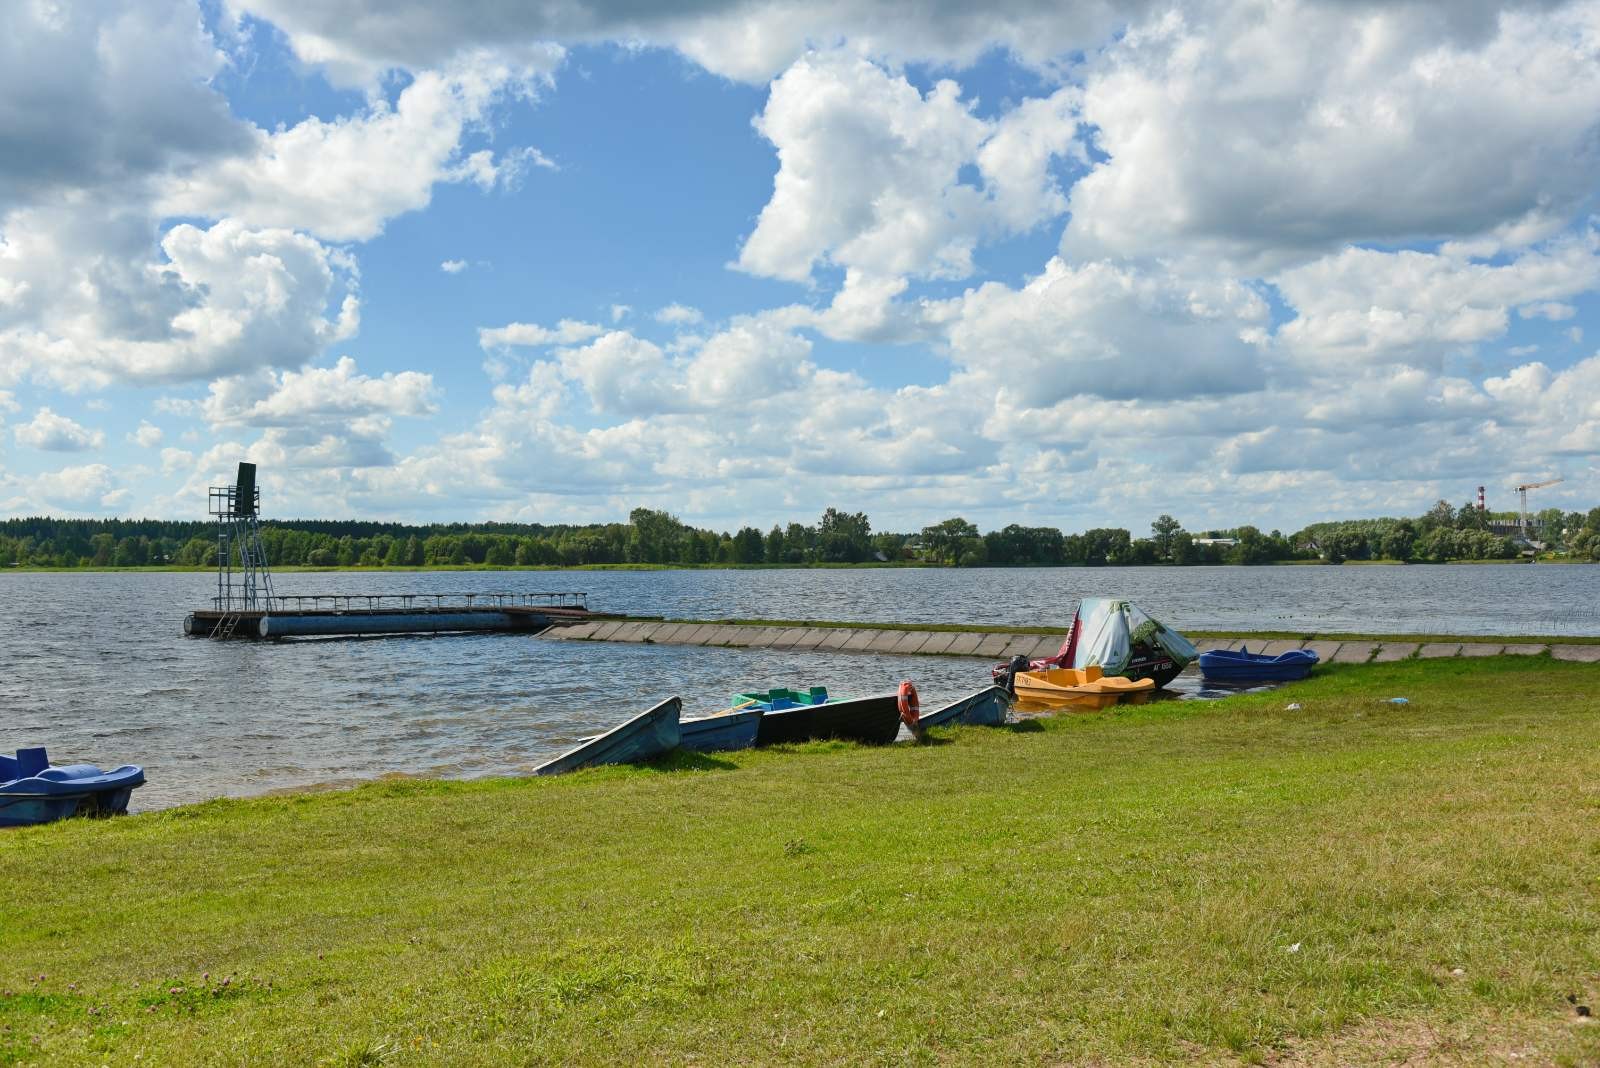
(1234,261)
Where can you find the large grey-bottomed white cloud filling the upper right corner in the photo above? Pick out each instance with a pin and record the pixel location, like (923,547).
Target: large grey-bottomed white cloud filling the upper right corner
(1276,132)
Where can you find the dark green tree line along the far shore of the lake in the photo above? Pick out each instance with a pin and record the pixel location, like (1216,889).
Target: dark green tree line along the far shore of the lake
(839,538)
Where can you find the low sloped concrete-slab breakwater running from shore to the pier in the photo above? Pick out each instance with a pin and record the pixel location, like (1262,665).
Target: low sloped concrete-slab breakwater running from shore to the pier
(1001,647)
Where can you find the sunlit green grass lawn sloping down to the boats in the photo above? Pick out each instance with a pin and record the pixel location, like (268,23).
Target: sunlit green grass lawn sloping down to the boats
(1226,882)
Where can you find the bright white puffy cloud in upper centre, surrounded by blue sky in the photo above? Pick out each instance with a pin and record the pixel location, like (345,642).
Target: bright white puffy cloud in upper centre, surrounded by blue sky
(871,172)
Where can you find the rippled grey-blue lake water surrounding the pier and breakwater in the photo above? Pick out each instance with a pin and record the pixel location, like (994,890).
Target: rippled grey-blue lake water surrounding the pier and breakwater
(97,667)
